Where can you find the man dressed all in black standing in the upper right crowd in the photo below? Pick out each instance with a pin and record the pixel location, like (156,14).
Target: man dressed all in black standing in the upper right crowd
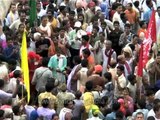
(114,37)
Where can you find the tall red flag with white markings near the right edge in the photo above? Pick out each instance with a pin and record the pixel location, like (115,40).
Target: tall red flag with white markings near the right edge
(150,37)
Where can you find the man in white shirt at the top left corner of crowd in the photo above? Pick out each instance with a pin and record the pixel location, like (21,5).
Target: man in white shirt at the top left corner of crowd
(13,14)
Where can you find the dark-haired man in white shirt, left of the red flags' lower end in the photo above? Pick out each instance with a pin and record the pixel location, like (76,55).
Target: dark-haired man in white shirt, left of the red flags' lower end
(120,82)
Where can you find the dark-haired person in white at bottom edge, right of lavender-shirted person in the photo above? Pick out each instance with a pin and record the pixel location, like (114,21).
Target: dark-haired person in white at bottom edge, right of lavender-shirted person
(66,112)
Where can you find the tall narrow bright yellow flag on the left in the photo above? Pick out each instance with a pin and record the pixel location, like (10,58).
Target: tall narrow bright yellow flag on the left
(24,65)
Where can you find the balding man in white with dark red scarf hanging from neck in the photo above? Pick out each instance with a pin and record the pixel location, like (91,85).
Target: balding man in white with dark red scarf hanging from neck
(108,55)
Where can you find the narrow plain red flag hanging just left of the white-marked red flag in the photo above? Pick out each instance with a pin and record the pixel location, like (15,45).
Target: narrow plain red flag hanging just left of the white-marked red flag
(140,62)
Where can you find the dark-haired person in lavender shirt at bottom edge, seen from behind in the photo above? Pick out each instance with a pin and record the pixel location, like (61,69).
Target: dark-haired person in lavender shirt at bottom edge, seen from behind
(45,112)
